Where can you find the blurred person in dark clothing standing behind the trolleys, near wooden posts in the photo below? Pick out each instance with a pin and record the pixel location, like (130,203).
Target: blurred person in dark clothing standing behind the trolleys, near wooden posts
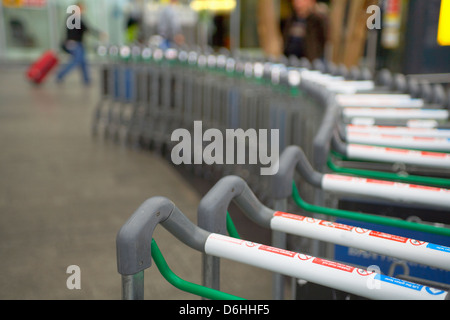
(305,33)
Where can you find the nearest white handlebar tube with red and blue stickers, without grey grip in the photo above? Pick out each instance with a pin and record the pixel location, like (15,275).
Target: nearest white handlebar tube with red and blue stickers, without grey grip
(321,271)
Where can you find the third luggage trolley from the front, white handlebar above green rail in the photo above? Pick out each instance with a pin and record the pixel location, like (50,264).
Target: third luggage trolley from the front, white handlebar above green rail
(337,184)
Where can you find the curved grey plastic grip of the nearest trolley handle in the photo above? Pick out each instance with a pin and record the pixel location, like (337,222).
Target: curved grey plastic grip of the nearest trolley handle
(133,241)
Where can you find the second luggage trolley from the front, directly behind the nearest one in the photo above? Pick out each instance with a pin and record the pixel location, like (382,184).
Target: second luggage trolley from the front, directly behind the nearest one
(213,206)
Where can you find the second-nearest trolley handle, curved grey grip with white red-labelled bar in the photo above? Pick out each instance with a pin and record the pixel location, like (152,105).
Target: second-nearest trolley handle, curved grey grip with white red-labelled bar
(321,229)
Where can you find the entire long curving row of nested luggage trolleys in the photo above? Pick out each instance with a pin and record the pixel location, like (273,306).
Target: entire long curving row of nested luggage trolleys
(364,170)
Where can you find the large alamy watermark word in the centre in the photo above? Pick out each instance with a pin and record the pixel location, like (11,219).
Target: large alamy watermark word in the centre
(208,147)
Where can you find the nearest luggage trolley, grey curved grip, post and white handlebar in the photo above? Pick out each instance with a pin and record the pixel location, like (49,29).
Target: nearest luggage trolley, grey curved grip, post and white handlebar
(135,250)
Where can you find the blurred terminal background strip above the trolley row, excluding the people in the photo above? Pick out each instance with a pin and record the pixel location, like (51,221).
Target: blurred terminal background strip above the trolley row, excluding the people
(406,43)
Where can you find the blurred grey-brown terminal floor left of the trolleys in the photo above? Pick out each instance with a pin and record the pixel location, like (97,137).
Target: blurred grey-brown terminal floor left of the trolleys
(64,195)
